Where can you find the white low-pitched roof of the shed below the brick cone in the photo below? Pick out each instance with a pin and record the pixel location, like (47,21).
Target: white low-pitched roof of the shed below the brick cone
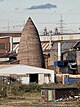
(24,69)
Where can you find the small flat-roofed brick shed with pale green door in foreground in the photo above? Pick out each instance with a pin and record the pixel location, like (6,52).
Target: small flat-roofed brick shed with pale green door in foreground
(55,93)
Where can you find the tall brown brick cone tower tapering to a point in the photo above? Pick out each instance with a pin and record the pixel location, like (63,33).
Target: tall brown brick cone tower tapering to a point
(30,50)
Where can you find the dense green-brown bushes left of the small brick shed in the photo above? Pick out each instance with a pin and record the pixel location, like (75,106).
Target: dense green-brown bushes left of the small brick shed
(17,89)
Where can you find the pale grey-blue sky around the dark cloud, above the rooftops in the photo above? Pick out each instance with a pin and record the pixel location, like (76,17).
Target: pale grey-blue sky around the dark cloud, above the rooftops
(14,14)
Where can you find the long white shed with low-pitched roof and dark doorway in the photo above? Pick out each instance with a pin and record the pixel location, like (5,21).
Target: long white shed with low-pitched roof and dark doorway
(29,74)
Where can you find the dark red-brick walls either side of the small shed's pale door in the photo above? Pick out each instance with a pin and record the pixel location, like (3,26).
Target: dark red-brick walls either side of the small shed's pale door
(61,93)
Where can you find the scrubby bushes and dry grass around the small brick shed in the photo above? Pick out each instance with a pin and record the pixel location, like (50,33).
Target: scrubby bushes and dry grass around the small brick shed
(17,93)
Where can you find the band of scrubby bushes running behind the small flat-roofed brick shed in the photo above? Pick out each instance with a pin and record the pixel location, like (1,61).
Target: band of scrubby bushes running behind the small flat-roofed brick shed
(18,89)
